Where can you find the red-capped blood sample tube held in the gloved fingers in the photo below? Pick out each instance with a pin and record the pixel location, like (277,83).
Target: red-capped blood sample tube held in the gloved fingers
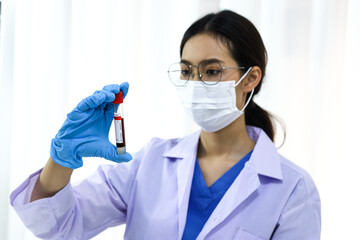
(119,124)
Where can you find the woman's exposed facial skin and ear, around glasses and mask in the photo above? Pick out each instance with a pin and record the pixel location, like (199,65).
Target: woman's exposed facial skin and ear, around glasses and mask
(204,47)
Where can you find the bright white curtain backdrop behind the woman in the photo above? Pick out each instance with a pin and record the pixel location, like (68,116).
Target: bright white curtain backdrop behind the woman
(54,53)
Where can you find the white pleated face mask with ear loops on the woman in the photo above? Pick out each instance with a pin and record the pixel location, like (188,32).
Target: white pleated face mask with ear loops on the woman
(212,107)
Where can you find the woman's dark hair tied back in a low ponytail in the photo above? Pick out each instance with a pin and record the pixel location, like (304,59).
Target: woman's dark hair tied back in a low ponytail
(247,49)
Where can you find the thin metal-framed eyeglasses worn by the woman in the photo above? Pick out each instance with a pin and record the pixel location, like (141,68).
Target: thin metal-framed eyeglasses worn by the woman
(209,73)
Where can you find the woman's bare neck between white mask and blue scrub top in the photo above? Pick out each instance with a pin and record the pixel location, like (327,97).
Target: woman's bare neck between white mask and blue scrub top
(231,142)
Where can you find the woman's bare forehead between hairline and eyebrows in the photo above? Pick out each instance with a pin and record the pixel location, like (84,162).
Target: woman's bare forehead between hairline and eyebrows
(204,46)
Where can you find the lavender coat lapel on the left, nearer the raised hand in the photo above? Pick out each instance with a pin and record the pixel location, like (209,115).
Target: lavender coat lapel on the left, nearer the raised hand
(185,152)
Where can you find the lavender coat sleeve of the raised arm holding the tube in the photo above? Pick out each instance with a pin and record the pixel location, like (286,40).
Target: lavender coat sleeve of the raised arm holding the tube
(80,211)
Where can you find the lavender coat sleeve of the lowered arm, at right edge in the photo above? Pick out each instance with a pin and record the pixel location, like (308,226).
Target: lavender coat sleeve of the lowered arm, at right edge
(301,217)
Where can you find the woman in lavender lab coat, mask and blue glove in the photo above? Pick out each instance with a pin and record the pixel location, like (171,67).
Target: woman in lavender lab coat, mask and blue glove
(226,181)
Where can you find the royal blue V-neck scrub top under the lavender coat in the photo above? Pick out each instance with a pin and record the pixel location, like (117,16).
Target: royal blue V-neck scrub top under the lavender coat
(203,200)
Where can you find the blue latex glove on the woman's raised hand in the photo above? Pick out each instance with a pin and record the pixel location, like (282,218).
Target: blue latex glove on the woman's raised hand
(86,129)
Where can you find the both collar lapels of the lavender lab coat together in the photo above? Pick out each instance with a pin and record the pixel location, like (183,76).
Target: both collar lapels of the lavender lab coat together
(264,160)
